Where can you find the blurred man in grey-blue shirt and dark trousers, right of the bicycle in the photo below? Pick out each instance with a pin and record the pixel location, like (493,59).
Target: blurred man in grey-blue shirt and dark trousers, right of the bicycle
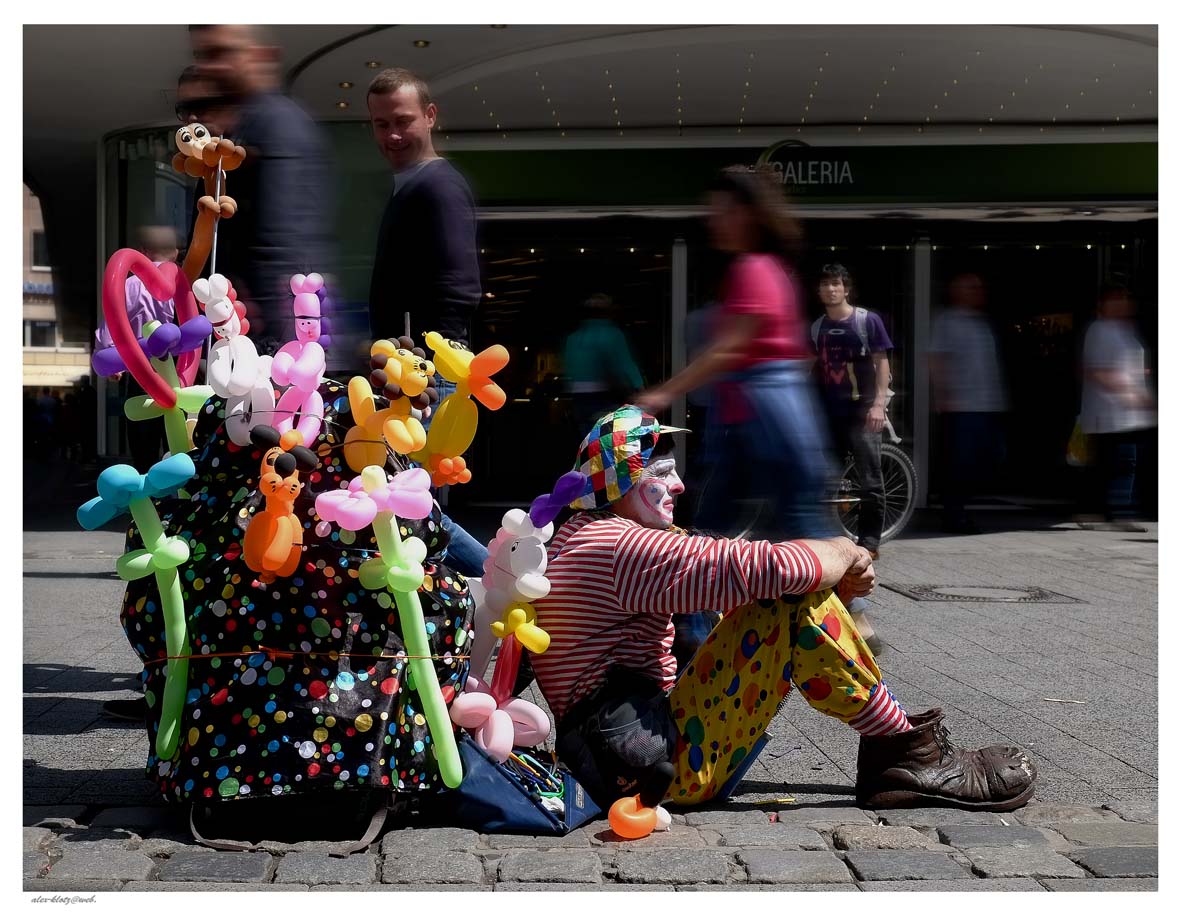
(970,398)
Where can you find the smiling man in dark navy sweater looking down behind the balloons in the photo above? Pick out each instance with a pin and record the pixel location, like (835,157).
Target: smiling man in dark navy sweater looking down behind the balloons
(426,264)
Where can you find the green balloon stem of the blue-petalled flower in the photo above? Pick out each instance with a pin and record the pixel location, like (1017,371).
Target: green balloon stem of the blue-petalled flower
(177,636)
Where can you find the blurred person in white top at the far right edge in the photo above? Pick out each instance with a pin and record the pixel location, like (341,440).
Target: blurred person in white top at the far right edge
(1118,408)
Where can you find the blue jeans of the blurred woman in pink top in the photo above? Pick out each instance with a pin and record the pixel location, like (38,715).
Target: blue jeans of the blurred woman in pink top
(779,457)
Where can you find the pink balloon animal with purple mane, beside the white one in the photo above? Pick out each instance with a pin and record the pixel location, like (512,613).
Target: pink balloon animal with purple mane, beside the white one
(301,364)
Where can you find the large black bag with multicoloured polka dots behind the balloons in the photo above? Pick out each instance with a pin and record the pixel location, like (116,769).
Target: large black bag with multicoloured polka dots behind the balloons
(297,686)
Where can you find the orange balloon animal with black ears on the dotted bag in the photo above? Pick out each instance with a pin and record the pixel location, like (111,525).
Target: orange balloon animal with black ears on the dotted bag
(275,539)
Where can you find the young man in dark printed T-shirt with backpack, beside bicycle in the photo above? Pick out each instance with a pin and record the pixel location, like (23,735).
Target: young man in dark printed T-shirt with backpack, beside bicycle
(853,361)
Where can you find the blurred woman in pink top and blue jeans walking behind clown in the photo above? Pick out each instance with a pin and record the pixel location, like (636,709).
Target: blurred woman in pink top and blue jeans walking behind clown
(766,417)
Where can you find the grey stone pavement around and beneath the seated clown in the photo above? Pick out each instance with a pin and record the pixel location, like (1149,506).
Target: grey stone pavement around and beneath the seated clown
(1021,673)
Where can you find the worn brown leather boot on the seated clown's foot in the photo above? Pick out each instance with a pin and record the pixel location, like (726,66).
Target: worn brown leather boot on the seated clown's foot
(924,768)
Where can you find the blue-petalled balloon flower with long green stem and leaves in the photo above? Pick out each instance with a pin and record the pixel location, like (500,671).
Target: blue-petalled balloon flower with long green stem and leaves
(121,488)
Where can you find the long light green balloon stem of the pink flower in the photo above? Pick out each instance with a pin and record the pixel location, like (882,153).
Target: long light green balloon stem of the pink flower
(414,636)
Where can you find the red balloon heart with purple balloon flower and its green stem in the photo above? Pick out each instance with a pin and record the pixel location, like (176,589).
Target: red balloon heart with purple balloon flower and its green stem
(169,387)
